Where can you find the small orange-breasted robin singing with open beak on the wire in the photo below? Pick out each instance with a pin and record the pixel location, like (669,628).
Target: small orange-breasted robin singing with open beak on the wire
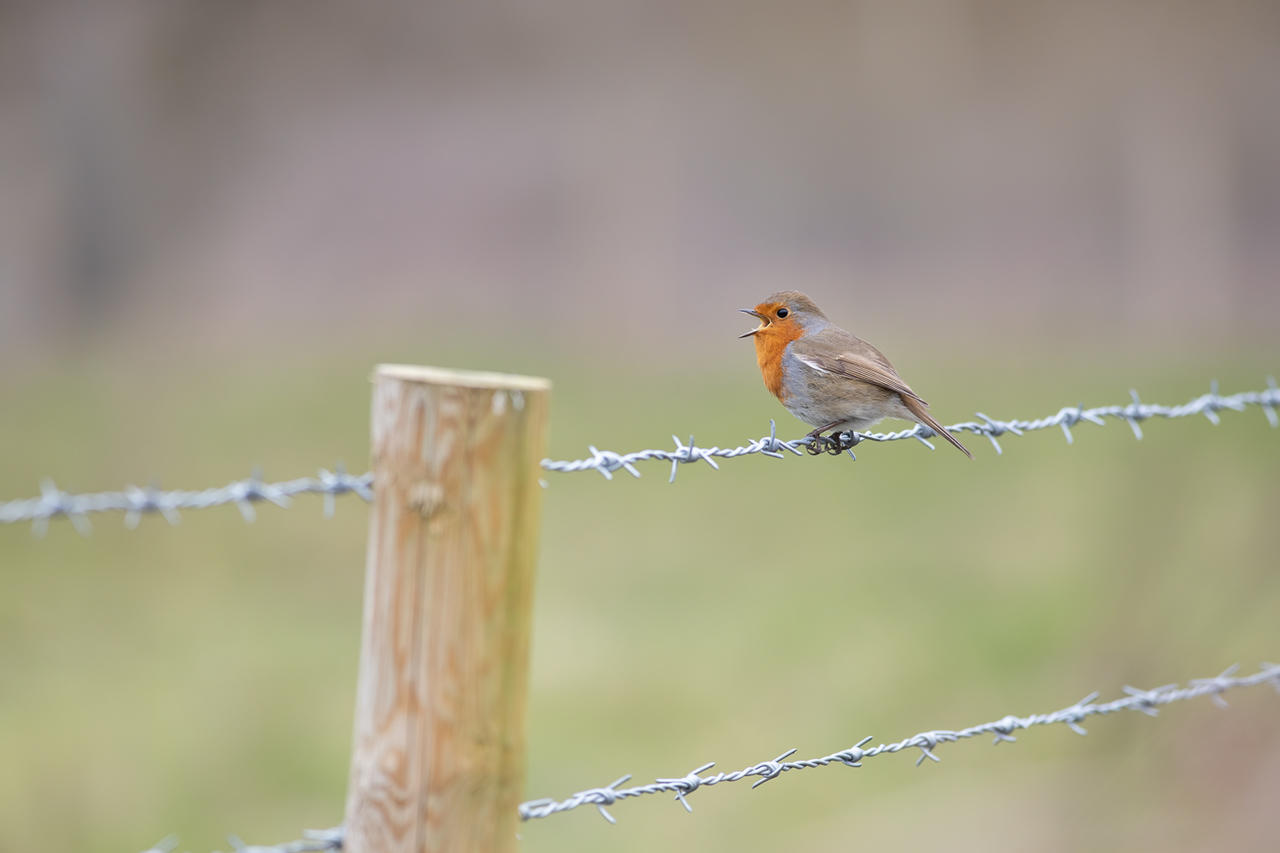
(826,377)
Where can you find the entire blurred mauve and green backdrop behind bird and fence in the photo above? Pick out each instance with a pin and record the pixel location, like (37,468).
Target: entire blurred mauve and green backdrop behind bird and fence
(217,217)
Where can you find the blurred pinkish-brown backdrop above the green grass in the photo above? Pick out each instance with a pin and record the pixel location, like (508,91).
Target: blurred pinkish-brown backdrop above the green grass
(186,176)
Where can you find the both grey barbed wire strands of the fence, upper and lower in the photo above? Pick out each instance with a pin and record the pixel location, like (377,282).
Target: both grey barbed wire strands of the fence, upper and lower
(135,503)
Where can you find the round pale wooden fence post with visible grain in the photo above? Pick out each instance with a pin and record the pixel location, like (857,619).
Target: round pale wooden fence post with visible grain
(438,756)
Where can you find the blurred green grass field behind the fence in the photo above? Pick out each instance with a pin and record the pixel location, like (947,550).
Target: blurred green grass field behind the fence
(200,679)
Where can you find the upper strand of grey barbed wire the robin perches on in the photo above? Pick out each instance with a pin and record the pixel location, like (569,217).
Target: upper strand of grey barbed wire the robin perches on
(136,503)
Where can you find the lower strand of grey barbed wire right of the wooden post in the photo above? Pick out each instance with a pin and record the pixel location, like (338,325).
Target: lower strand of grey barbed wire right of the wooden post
(682,787)
